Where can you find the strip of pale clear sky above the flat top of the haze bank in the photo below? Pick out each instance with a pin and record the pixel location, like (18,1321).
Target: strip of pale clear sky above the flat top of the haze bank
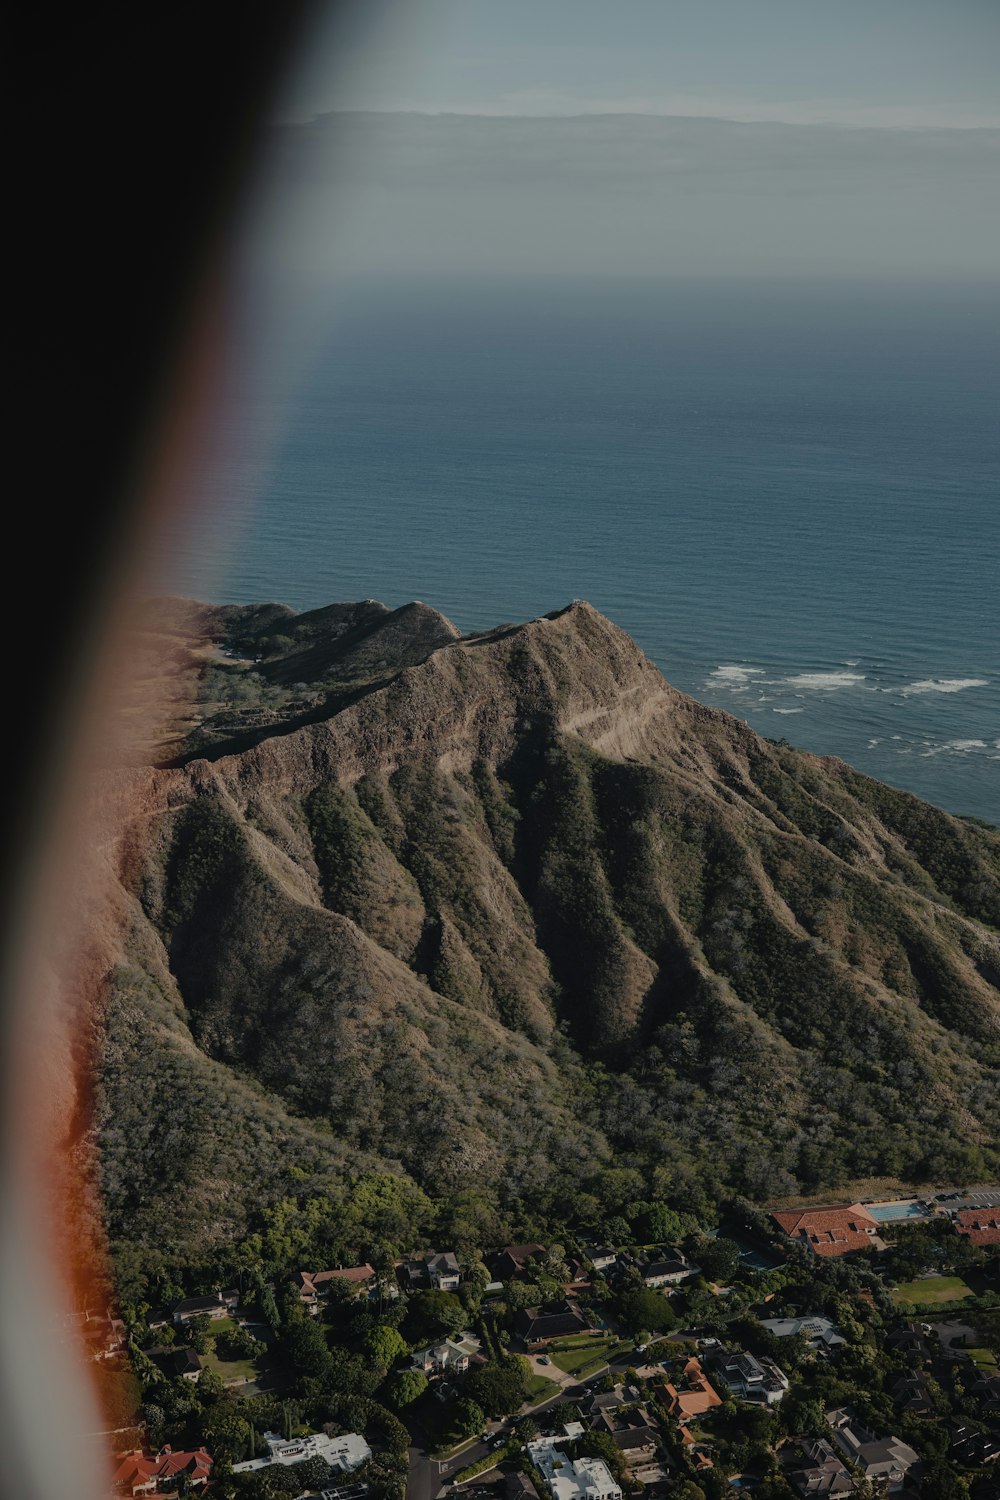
(804,62)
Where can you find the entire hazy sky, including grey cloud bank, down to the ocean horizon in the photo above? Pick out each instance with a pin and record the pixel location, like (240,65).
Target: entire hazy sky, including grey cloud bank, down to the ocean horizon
(638,139)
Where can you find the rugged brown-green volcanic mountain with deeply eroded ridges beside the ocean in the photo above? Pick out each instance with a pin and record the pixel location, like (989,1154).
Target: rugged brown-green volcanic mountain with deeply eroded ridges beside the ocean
(472,934)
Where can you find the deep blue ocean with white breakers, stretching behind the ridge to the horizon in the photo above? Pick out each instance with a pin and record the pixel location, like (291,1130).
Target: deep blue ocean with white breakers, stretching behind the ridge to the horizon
(788,494)
